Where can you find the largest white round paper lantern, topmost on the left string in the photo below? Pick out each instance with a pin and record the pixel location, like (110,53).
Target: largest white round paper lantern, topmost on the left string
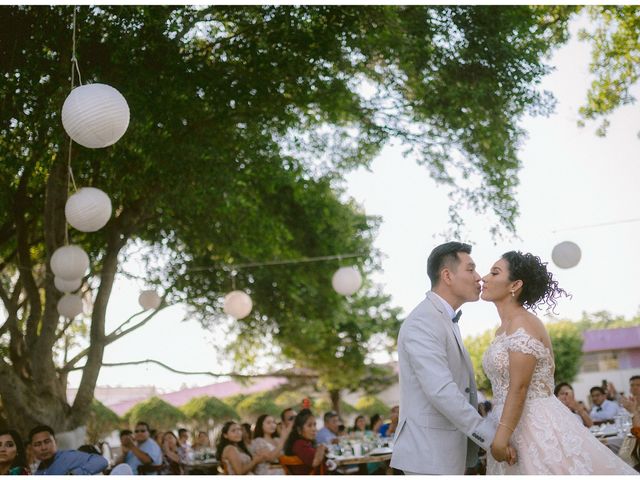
(95,115)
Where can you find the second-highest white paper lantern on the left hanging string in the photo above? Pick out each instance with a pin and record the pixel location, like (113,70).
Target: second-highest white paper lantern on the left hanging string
(88,210)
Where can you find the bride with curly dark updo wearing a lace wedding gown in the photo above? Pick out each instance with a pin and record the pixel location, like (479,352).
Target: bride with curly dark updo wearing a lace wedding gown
(520,365)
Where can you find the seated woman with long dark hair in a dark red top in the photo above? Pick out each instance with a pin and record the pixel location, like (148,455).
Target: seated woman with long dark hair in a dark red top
(301,443)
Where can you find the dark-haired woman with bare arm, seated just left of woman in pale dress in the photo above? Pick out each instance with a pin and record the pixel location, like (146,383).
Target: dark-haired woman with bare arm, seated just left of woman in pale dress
(233,453)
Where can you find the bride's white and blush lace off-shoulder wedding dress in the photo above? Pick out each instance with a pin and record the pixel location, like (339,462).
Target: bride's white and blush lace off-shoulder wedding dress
(549,439)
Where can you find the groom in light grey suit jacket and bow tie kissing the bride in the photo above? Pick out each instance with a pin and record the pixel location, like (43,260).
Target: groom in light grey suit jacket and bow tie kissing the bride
(439,420)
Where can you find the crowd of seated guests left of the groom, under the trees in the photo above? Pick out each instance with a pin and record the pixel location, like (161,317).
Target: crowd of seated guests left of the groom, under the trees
(241,448)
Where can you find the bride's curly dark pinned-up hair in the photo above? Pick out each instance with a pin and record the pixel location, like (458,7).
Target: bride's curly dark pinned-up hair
(538,285)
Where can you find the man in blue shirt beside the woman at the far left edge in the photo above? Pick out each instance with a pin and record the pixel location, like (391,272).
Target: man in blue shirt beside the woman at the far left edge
(62,462)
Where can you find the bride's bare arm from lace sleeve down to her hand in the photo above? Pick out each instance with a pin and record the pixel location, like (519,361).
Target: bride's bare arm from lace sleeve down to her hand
(521,367)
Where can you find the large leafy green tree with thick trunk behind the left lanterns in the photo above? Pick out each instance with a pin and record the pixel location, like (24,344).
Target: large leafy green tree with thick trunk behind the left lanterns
(243,122)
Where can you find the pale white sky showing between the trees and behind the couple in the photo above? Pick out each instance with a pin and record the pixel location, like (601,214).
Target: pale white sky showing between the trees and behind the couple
(570,178)
